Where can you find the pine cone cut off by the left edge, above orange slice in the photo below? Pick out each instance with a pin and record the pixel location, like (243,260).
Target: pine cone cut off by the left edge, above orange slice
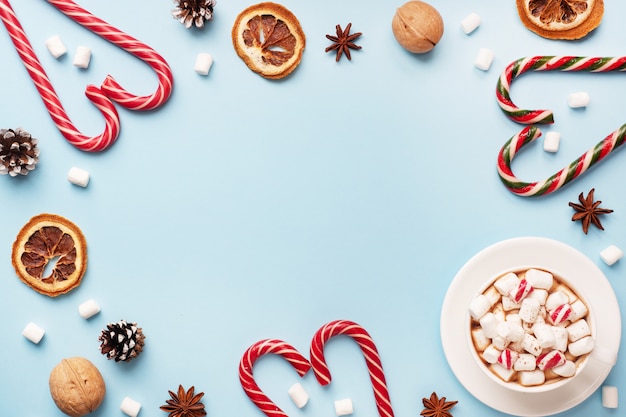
(18,152)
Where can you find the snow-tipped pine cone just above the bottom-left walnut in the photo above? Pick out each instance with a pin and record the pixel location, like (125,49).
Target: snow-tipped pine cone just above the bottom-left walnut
(121,341)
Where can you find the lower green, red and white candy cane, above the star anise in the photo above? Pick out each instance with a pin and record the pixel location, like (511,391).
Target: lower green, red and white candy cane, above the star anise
(575,169)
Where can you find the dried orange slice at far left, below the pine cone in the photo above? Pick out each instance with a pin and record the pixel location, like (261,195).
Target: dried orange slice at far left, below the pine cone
(48,238)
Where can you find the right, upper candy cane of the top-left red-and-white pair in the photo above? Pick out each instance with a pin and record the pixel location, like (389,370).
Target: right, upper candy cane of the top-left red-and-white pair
(142,51)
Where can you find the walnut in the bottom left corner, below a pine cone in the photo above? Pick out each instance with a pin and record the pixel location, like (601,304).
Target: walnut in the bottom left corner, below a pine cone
(76,386)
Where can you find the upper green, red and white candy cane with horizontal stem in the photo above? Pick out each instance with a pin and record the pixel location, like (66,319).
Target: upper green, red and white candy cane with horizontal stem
(547,63)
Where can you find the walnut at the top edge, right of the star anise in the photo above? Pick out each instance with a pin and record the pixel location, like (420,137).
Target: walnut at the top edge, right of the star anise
(417,26)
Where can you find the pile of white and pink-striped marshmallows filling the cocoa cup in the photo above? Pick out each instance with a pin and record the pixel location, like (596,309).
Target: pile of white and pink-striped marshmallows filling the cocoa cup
(529,327)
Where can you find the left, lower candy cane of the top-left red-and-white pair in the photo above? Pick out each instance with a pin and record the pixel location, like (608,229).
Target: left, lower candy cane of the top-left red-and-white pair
(49,96)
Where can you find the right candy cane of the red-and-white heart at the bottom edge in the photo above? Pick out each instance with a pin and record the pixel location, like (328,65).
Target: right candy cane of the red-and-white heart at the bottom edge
(372,359)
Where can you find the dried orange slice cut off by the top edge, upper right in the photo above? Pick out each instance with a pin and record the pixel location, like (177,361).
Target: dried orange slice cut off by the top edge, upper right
(561,19)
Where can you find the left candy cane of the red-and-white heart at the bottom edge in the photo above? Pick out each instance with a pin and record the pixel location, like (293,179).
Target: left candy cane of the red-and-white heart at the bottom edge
(254,352)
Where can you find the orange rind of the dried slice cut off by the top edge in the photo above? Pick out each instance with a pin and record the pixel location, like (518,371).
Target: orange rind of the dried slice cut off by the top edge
(576,32)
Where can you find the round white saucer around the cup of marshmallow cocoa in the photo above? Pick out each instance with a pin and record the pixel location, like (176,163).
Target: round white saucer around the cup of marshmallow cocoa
(525,252)
